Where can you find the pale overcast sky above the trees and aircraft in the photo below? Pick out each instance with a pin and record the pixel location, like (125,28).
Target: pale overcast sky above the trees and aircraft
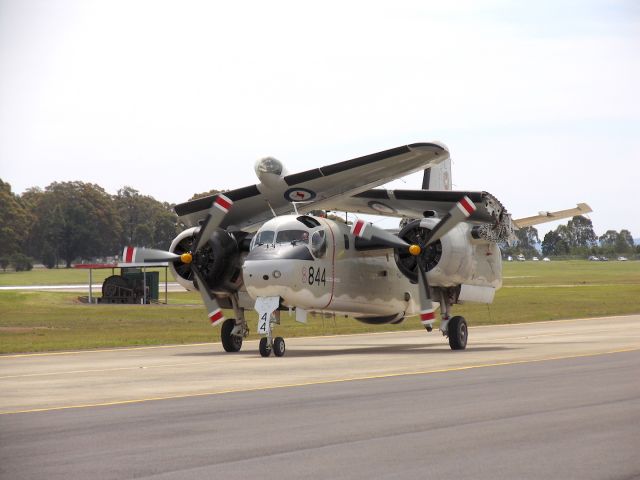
(538,102)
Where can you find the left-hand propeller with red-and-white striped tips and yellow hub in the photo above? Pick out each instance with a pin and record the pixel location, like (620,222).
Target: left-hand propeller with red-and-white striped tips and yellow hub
(221,206)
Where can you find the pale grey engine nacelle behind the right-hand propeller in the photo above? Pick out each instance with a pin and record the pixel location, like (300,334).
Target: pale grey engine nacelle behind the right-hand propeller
(456,259)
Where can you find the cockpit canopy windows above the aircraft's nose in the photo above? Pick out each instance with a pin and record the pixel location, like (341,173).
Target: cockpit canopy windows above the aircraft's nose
(282,232)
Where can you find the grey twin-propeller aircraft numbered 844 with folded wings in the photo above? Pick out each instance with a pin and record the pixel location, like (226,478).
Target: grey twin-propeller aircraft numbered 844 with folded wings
(258,246)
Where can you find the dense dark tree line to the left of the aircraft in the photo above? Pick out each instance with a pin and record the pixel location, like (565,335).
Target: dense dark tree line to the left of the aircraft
(70,221)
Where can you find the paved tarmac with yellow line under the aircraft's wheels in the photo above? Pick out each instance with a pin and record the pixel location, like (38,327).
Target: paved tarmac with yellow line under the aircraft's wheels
(545,400)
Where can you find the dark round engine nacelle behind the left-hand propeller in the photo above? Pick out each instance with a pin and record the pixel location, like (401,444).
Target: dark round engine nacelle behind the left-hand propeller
(220,261)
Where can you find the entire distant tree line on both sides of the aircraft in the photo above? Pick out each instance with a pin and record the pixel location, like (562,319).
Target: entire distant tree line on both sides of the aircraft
(70,221)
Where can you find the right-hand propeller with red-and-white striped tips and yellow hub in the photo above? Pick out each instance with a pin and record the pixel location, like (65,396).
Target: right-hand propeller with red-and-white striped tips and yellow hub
(460,212)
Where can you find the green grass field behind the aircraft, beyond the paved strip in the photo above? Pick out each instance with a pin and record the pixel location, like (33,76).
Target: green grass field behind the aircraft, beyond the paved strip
(533,291)
